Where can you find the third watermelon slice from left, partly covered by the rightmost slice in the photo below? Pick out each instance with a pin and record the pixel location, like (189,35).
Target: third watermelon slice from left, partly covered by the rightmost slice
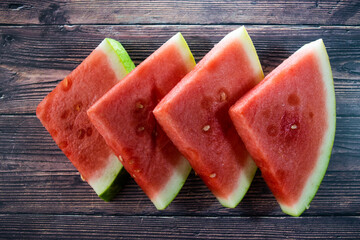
(195,116)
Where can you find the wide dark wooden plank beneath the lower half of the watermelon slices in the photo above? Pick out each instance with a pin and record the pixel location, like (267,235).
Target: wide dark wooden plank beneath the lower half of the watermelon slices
(35,176)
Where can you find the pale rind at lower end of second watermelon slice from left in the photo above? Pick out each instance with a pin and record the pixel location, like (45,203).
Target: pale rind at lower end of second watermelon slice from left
(173,186)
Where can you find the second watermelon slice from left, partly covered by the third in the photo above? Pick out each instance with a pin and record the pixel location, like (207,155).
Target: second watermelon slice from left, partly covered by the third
(124,117)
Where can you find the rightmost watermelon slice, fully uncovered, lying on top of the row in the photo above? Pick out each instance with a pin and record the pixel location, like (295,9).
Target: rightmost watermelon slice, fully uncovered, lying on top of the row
(287,123)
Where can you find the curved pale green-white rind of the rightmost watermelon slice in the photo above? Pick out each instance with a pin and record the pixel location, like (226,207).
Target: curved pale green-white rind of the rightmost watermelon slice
(318,174)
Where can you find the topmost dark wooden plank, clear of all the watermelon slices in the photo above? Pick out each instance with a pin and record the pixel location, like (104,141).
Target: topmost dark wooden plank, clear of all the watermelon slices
(180,12)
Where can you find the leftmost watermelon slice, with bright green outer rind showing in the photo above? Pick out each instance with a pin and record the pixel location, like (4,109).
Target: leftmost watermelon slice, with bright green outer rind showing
(63,114)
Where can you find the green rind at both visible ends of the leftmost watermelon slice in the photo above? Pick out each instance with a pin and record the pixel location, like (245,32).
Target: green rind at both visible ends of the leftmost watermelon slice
(114,175)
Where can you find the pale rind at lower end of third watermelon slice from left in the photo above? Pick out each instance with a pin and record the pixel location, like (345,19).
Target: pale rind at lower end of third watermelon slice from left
(246,176)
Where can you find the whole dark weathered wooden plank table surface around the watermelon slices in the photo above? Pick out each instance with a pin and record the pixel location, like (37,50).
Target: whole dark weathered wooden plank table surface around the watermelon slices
(41,193)
